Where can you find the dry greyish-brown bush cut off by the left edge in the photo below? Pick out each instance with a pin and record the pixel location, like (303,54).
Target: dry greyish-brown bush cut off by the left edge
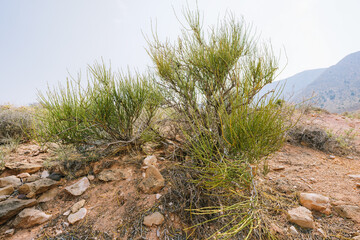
(15,124)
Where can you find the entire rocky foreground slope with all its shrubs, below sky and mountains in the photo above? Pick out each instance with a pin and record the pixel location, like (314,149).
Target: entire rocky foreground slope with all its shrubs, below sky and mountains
(187,151)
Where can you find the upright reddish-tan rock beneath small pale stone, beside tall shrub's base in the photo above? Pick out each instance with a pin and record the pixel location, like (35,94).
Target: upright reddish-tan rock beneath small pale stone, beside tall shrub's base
(153,181)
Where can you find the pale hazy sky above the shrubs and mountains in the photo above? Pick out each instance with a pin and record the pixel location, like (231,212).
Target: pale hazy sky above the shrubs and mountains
(42,40)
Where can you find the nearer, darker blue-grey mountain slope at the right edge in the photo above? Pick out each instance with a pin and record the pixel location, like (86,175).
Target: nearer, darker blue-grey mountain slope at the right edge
(337,89)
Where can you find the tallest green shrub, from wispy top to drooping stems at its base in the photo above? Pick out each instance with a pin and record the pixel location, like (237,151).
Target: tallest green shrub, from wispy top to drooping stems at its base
(212,79)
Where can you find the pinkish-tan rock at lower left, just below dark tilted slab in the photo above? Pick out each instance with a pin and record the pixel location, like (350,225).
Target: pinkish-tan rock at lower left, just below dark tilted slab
(30,217)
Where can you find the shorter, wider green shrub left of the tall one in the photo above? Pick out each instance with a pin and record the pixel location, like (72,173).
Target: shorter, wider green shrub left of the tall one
(113,107)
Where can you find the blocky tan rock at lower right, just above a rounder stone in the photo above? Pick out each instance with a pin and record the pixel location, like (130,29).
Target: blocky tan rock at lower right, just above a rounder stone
(316,202)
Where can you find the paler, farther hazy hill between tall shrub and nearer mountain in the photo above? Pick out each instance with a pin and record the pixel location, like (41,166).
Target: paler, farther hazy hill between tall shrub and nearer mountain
(295,84)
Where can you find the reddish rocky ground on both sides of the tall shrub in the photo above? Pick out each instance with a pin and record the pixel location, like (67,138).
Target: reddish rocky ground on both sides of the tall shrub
(120,197)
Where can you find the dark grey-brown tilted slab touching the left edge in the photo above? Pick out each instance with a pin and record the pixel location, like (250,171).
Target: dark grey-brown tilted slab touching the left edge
(11,207)
